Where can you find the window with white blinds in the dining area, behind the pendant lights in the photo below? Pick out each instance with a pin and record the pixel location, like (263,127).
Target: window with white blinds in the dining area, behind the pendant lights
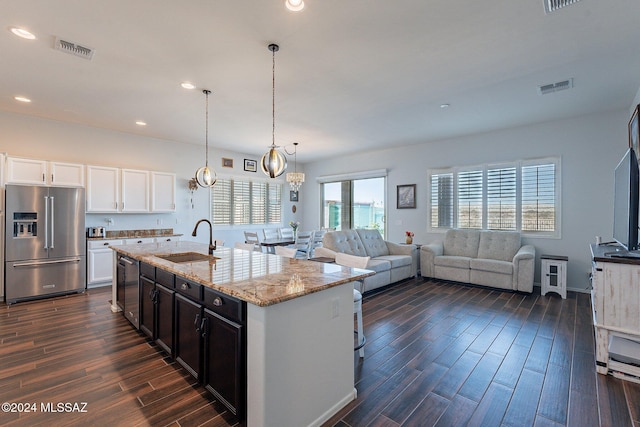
(238,202)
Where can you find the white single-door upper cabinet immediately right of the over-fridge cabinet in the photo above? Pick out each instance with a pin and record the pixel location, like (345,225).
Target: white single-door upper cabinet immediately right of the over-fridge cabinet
(103,189)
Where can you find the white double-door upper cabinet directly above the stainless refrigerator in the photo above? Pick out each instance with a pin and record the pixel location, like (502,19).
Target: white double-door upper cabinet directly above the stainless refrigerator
(42,172)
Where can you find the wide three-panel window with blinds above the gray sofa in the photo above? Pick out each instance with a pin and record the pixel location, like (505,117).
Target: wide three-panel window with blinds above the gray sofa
(522,196)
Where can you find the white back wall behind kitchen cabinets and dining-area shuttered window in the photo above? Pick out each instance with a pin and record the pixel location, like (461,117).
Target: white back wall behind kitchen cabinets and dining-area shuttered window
(36,138)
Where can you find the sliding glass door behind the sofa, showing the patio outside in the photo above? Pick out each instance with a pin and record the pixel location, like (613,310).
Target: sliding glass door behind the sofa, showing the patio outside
(358,203)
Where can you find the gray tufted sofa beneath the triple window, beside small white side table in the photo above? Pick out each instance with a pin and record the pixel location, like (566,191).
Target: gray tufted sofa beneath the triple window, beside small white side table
(481,257)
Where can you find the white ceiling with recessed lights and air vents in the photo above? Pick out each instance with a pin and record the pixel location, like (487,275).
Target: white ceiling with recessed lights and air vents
(350,75)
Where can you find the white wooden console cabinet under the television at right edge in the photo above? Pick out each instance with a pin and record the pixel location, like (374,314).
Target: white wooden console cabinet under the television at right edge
(615,300)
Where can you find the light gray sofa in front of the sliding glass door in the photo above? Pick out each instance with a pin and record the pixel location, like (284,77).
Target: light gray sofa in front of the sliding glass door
(392,262)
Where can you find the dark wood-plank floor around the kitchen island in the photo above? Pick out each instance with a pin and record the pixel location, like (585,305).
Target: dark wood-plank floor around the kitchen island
(436,354)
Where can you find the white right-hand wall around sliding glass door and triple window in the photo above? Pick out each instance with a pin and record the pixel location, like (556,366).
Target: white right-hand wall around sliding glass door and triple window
(589,146)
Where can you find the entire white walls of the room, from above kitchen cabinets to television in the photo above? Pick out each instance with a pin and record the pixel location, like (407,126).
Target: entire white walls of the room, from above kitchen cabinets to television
(589,146)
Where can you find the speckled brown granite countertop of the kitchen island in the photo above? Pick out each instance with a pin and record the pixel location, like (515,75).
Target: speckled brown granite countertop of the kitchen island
(257,278)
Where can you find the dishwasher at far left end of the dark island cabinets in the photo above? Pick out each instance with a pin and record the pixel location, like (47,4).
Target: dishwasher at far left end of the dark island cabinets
(127,291)
